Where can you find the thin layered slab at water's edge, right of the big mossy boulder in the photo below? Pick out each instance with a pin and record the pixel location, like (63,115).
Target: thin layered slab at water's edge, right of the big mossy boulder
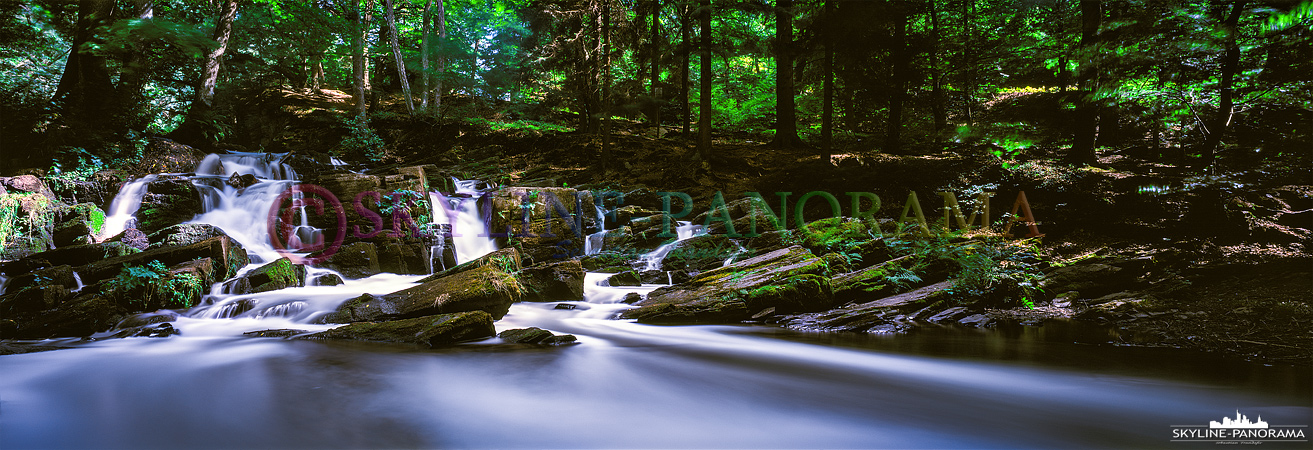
(874,317)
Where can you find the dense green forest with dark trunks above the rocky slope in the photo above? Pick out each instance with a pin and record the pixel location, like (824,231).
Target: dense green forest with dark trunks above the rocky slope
(1189,83)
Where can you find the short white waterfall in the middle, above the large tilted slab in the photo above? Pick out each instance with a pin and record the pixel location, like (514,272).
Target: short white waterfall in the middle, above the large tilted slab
(469,232)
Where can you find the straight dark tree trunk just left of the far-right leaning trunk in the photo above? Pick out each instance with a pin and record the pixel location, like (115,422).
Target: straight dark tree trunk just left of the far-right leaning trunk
(1088,113)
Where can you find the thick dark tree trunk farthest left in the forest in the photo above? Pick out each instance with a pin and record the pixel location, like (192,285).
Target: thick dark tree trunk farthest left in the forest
(86,87)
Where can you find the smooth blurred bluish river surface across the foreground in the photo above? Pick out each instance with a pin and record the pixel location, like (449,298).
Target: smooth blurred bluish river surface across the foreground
(630,385)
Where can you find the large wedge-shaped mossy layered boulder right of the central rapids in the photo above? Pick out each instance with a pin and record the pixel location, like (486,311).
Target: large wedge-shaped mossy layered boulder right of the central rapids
(790,281)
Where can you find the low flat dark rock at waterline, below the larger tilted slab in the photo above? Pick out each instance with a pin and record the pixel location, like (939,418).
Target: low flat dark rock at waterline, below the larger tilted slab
(426,331)
